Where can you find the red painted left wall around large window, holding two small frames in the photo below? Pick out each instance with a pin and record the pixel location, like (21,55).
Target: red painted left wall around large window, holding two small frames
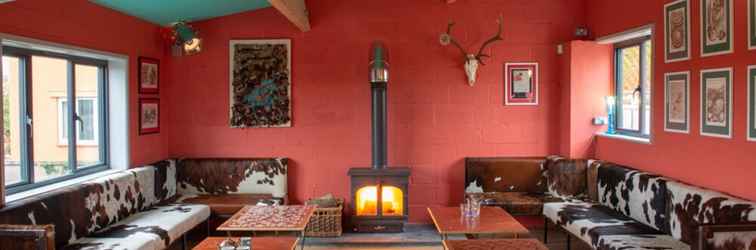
(83,24)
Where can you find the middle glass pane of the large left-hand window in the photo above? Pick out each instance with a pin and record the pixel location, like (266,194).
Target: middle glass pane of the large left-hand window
(50,86)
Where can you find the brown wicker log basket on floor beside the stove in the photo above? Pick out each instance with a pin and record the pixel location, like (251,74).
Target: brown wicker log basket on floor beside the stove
(326,222)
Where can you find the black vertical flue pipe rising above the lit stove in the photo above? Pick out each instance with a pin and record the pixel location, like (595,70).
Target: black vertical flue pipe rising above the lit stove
(378,80)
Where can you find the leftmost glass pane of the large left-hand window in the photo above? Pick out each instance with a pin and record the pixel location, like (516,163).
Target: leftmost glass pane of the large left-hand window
(12,122)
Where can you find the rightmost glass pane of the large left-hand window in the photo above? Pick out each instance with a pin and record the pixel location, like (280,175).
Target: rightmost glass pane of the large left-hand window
(88,125)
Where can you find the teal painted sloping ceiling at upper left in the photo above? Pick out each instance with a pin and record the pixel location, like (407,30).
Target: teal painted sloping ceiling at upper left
(166,12)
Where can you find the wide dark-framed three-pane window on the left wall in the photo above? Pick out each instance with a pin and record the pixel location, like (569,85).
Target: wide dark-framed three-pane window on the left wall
(39,119)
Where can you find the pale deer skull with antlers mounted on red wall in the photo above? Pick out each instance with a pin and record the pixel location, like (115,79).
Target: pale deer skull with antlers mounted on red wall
(471,60)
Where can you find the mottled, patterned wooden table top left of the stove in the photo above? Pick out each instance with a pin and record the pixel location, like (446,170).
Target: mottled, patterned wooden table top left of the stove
(269,218)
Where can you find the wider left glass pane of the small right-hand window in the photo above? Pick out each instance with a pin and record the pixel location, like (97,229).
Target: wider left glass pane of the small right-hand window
(629,89)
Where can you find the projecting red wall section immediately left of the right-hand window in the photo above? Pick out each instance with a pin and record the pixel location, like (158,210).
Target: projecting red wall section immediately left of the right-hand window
(586,68)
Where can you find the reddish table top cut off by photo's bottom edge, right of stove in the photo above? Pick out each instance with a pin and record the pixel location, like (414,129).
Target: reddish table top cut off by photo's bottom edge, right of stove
(495,244)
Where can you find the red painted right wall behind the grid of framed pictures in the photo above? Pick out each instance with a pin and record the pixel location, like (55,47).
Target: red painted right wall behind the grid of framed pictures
(721,164)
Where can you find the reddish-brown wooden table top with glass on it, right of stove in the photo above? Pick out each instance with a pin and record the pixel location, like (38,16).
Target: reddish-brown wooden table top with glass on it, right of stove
(492,220)
